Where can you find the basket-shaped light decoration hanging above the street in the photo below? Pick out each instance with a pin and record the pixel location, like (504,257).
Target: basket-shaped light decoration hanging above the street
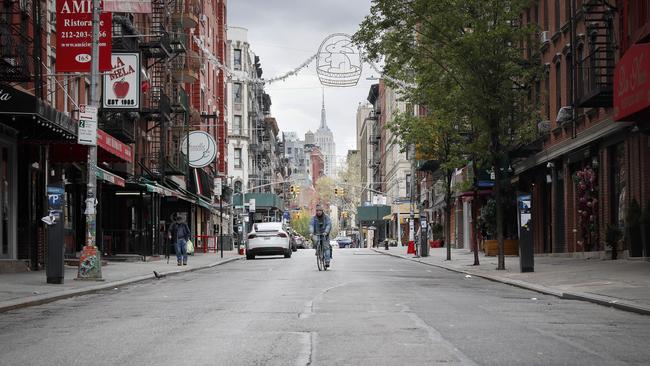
(339,61)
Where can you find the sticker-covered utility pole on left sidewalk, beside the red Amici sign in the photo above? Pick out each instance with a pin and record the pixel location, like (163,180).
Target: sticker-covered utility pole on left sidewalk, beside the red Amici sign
(90,266)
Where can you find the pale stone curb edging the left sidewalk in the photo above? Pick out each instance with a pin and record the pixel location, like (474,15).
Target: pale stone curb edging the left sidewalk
(47,298)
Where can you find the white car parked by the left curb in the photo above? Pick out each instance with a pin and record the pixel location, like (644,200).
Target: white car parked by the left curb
(268,238)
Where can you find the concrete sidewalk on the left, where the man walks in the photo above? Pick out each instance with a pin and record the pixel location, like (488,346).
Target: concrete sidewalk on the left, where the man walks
(24,289)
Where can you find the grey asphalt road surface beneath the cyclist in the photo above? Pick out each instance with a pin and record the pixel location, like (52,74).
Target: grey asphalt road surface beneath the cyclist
(369,309)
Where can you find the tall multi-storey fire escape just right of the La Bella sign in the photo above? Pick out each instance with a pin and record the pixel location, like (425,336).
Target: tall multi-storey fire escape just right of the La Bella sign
(168,64)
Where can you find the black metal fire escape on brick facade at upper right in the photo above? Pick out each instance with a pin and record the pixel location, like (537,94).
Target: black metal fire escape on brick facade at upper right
(596,69)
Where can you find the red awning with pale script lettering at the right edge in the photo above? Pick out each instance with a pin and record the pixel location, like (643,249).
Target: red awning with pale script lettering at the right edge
(632,84)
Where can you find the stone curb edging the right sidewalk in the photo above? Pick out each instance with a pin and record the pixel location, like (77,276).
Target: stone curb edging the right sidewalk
(595,299)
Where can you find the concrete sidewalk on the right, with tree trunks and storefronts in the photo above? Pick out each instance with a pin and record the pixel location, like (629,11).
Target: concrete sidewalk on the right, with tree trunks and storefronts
(623,284)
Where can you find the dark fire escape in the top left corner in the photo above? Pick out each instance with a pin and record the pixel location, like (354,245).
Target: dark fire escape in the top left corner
(16,65)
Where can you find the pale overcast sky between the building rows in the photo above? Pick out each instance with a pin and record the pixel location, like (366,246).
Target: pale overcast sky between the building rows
(284,33)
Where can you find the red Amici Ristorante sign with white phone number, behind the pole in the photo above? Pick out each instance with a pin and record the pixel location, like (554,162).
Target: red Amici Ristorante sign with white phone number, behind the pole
(74,32)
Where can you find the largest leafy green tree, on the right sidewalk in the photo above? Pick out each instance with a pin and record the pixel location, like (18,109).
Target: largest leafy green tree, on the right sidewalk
(465,61)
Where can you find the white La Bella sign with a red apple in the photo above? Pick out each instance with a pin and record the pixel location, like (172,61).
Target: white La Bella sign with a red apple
(122,83)
